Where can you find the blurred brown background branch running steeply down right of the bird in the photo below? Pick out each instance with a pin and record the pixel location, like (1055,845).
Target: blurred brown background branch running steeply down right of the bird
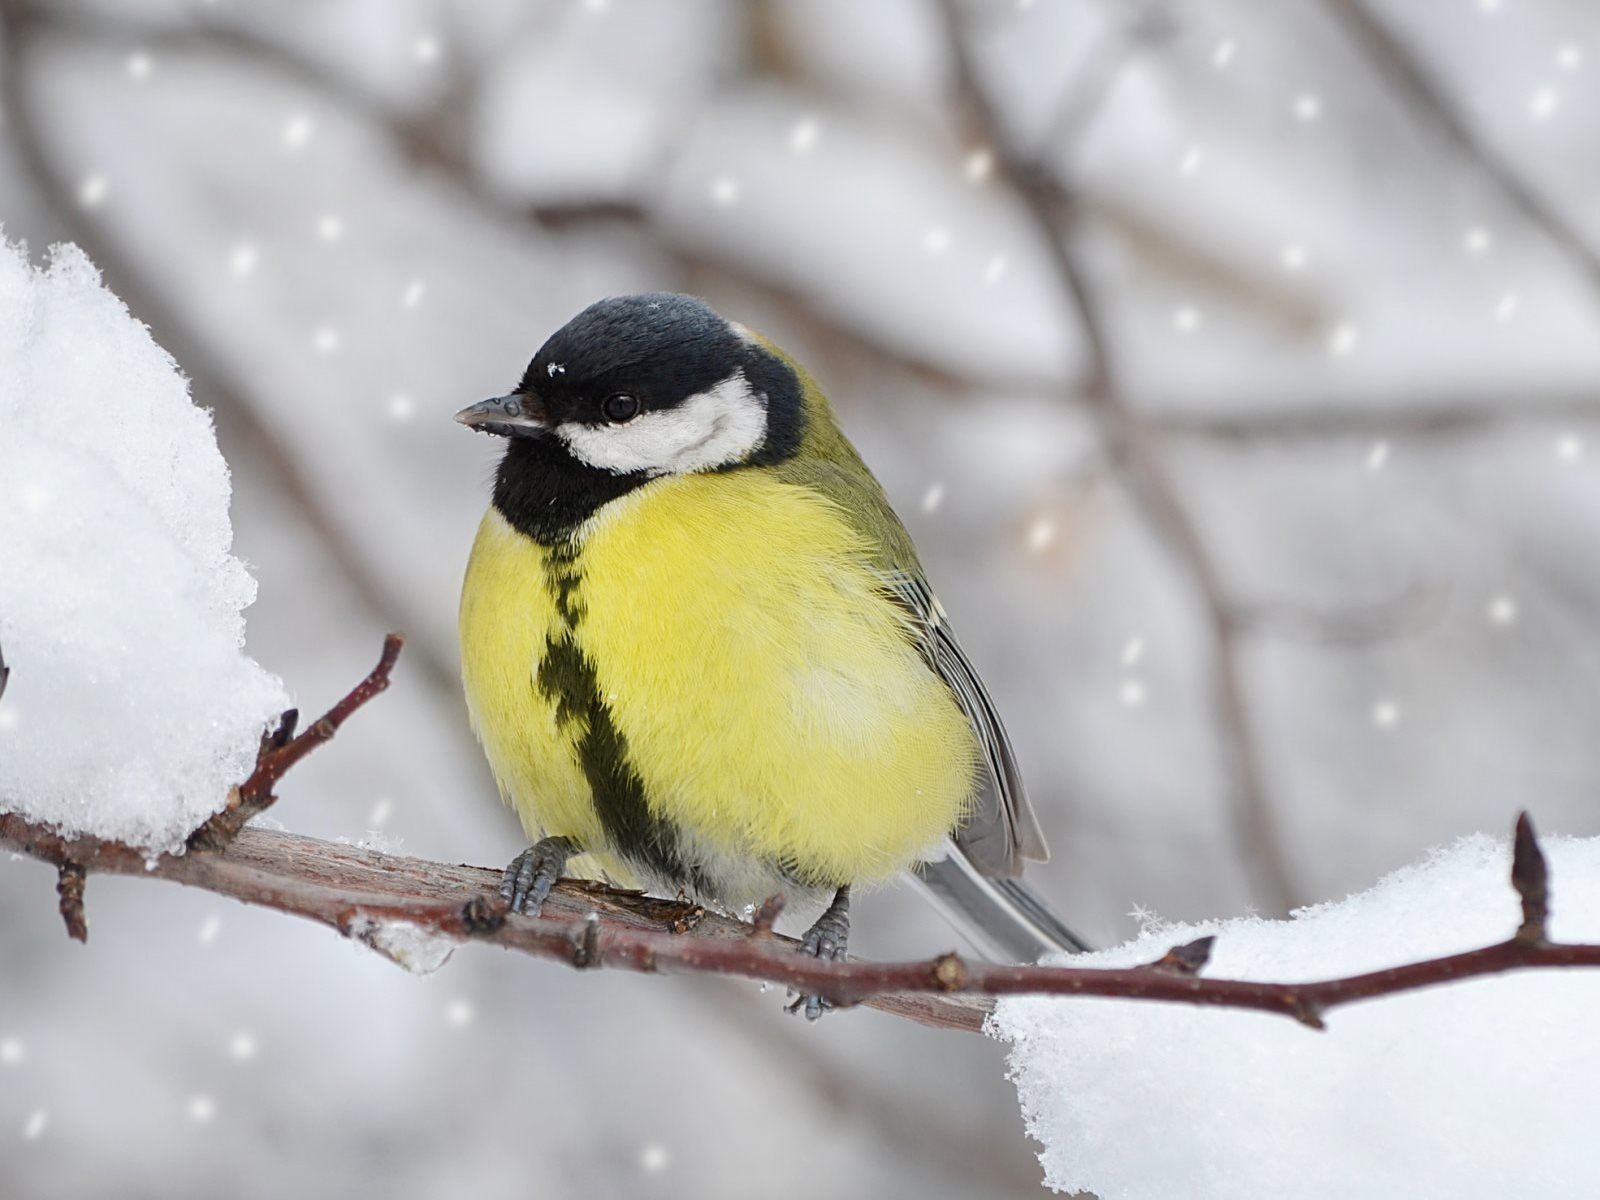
(1134,447)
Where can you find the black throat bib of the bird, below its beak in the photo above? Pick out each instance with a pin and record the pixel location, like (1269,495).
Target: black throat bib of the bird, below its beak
(546,494)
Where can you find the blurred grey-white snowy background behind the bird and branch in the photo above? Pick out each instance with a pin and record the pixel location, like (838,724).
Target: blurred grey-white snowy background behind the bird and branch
(1372,353)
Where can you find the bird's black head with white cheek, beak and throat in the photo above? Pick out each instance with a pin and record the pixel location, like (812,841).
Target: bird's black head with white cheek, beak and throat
(631,390)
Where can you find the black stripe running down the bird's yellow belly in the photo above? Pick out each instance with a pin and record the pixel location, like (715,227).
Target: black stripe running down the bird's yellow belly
(567,679)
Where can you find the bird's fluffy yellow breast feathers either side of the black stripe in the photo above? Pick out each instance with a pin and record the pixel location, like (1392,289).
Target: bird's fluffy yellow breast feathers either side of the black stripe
(764,687)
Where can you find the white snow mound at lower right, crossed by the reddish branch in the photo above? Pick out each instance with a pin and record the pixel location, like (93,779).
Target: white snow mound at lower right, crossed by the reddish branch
(1482,1089)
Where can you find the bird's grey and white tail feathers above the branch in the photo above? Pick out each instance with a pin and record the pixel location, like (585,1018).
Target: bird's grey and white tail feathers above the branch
(1004,919)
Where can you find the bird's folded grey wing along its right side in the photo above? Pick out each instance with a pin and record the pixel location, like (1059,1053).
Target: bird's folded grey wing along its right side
(1002,833)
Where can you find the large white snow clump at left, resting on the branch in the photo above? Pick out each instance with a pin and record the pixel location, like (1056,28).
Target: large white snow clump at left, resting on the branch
(132,708)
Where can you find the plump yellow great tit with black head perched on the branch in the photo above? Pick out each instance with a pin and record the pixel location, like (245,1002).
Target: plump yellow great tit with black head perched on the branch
(698,646)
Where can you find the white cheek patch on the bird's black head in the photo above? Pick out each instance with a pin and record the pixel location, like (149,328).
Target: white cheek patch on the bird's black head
(711,430)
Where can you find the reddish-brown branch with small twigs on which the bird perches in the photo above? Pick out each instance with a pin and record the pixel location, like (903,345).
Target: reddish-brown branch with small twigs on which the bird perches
(417,911)
